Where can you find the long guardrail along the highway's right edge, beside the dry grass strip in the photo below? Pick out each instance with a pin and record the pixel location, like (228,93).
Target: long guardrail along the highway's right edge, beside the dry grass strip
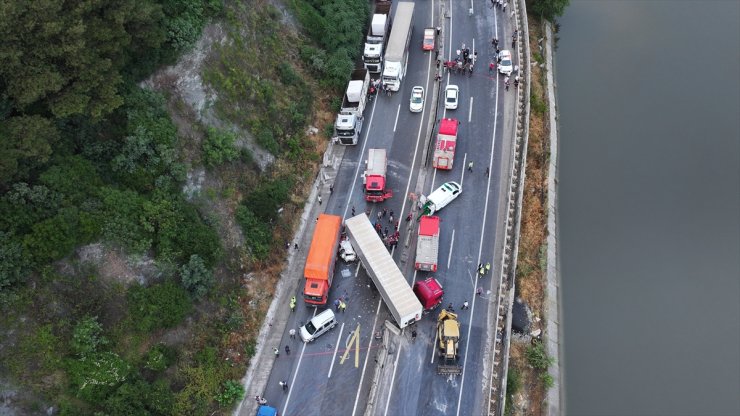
(505,296)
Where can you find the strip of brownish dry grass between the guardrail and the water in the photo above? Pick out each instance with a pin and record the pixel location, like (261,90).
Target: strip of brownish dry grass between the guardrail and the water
(532,249)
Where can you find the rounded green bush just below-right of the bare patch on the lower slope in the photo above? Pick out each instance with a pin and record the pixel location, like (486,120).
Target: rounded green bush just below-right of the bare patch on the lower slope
(161,305)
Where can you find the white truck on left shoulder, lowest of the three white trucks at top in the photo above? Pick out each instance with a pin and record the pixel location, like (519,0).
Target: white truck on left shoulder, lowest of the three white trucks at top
(348,126)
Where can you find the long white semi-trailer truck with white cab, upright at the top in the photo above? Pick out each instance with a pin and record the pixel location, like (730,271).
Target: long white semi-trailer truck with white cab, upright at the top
(397,52)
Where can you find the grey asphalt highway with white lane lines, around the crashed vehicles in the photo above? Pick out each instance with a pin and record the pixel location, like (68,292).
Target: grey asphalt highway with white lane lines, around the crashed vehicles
(331,375)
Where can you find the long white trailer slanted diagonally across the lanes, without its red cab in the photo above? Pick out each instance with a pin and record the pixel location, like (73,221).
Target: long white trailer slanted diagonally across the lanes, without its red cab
(393,287)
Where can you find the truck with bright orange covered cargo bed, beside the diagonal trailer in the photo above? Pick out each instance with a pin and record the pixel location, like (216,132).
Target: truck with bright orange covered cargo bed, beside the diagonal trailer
(319,269)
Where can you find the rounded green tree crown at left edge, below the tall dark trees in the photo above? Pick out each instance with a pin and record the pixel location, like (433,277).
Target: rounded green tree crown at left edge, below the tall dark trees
(26,145)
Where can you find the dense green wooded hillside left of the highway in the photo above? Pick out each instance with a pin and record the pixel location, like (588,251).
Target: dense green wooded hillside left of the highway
(92,160)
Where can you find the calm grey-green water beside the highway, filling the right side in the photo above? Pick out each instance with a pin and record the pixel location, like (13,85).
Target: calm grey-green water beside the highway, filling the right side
(649,110)
